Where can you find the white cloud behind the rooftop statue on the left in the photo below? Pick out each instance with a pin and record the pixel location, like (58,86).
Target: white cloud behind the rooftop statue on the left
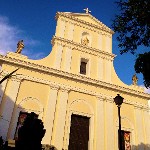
(10,35)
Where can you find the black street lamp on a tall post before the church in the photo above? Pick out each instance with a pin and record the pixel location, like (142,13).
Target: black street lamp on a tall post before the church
(118,101)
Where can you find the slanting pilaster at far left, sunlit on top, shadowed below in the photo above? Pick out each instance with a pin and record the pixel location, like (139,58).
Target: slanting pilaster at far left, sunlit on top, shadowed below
(9,103)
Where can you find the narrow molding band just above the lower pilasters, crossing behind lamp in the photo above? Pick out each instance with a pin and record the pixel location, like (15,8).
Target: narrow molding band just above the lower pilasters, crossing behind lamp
(101,97)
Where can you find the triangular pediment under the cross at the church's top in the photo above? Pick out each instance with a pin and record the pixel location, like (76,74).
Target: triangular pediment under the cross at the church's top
(87,18)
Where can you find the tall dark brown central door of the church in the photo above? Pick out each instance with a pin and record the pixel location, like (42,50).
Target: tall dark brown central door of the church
(79,133)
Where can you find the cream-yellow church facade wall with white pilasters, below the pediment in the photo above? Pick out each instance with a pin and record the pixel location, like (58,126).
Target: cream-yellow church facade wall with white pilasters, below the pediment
(58,94)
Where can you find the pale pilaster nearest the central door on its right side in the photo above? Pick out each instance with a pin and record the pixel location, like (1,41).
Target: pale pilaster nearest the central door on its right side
(100,142)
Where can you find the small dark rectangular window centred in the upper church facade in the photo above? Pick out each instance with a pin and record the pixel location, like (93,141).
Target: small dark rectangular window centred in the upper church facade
(83,66)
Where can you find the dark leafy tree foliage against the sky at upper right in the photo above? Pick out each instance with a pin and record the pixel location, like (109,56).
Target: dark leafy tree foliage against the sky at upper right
(133,27)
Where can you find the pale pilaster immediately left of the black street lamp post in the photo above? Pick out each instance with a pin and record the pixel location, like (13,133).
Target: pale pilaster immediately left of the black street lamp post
(109,124)
